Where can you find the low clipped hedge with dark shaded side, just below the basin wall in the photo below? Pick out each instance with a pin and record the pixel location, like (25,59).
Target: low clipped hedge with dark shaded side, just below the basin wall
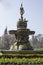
(20,55)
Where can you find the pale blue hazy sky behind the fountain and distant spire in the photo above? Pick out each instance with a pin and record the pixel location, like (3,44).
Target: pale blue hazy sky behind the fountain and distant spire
(10,14)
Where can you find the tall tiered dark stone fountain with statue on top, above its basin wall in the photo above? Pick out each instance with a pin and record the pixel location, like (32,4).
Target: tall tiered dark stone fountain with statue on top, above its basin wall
(22,34)
